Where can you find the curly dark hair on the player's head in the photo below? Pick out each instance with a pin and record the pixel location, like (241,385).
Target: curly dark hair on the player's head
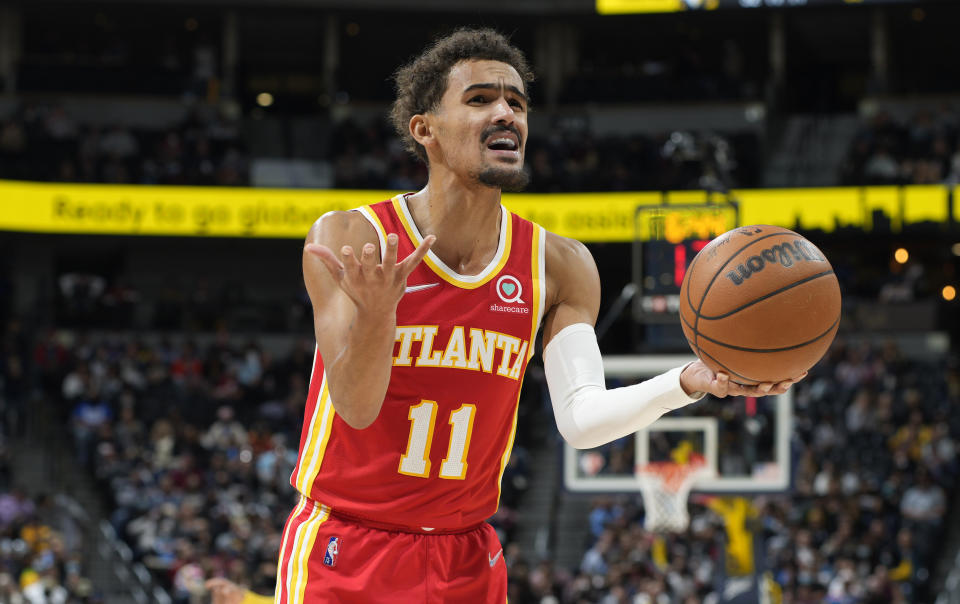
(421,83)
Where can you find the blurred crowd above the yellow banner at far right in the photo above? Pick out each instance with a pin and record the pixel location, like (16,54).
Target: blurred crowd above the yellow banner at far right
(922,150)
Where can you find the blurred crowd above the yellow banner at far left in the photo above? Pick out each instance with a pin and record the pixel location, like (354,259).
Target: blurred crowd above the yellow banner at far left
(44,142)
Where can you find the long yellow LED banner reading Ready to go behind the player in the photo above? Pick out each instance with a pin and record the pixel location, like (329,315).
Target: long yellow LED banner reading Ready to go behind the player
(288,213)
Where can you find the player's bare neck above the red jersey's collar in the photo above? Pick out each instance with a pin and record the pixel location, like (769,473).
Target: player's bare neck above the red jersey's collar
(464,217)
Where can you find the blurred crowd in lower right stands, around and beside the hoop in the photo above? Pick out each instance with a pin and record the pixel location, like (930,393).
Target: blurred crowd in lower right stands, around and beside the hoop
(877,457)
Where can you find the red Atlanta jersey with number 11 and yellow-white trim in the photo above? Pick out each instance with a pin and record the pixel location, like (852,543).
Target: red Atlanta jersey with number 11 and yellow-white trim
(435,455)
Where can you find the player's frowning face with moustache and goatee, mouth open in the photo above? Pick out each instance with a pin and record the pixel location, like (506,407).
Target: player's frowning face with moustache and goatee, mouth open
(481,124)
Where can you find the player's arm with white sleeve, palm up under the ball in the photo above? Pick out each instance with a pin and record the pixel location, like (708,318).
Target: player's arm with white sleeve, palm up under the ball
(587,414)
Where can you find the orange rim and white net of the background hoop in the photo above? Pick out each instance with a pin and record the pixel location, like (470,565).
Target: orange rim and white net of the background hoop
(665,486)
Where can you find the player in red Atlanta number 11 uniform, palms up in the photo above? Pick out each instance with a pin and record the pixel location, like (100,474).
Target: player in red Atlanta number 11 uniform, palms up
(426,309)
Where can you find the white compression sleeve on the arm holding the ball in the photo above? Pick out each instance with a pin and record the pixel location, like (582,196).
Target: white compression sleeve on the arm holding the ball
(588,415)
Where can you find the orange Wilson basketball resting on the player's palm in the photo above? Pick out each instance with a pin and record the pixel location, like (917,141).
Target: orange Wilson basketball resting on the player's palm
(760,303)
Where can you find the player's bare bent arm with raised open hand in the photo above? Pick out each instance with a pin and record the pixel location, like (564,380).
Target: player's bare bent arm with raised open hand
(355,297)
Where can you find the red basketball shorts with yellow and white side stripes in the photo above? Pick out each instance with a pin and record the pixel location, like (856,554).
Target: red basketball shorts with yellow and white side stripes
(327,559)
